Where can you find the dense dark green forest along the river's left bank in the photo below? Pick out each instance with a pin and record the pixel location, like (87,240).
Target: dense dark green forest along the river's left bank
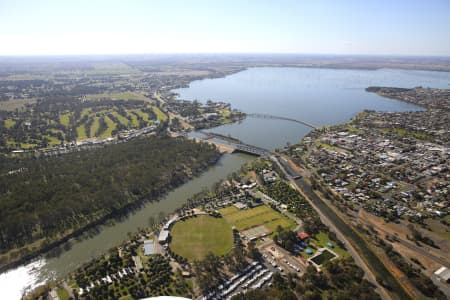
(55,195)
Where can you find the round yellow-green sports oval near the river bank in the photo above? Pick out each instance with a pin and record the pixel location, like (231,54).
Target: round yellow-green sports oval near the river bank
(195,237)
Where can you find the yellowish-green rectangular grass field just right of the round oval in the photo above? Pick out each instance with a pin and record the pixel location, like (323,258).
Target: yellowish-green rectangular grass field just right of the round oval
(261,215)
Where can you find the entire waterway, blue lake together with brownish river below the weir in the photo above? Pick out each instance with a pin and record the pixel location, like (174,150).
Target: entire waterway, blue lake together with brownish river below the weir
(317,96)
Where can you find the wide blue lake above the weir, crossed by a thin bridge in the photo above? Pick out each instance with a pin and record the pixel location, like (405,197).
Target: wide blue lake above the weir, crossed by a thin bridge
(317,96)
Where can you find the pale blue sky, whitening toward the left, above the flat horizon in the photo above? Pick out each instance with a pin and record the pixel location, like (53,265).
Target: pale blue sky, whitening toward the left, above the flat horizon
(363,27)
